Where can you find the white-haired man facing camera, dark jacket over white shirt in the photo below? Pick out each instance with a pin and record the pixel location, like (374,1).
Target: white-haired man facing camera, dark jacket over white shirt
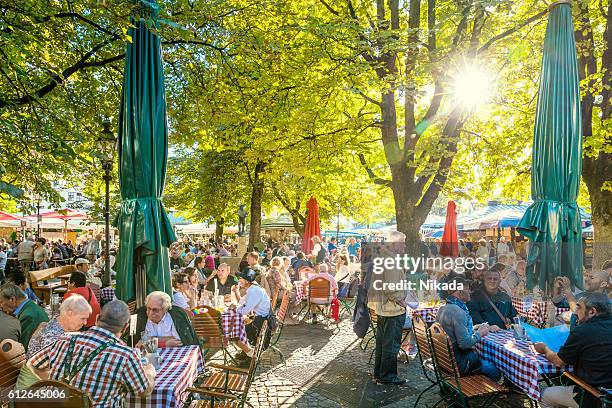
(171,325)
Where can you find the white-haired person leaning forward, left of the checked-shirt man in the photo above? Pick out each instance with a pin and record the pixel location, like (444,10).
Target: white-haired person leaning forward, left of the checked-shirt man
(74,312)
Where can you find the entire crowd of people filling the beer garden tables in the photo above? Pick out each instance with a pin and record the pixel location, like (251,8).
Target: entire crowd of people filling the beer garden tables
(479,303)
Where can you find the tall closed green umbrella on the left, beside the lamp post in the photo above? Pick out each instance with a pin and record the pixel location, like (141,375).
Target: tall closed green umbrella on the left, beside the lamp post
(145,231)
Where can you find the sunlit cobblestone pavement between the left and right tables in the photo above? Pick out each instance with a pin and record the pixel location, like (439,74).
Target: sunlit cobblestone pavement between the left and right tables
(327,368)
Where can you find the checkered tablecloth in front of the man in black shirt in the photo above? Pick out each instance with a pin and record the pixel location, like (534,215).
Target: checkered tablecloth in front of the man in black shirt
(516,360)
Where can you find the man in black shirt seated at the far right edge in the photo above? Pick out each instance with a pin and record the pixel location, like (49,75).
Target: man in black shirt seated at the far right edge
(588,348)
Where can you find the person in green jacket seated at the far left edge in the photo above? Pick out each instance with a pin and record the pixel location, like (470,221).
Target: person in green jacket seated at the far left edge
(13,301)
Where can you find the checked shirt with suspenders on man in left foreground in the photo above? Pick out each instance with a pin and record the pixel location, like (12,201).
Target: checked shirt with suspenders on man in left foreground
(115,371)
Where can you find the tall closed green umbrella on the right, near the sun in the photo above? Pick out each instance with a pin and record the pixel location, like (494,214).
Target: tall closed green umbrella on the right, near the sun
(552,222)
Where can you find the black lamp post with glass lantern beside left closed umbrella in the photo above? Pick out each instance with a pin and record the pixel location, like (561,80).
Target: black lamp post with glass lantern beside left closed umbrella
(105,152)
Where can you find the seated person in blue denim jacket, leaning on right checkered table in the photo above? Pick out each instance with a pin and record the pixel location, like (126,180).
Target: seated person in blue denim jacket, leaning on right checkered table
(457,323)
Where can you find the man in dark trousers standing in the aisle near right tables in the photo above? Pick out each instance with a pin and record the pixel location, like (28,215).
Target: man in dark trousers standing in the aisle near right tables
(390,308)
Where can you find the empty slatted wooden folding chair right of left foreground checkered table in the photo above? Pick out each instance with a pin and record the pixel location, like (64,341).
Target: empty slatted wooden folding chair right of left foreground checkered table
(228,386)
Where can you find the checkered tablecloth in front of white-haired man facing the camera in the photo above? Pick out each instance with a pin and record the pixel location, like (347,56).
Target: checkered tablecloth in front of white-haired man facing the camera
(180,367)
